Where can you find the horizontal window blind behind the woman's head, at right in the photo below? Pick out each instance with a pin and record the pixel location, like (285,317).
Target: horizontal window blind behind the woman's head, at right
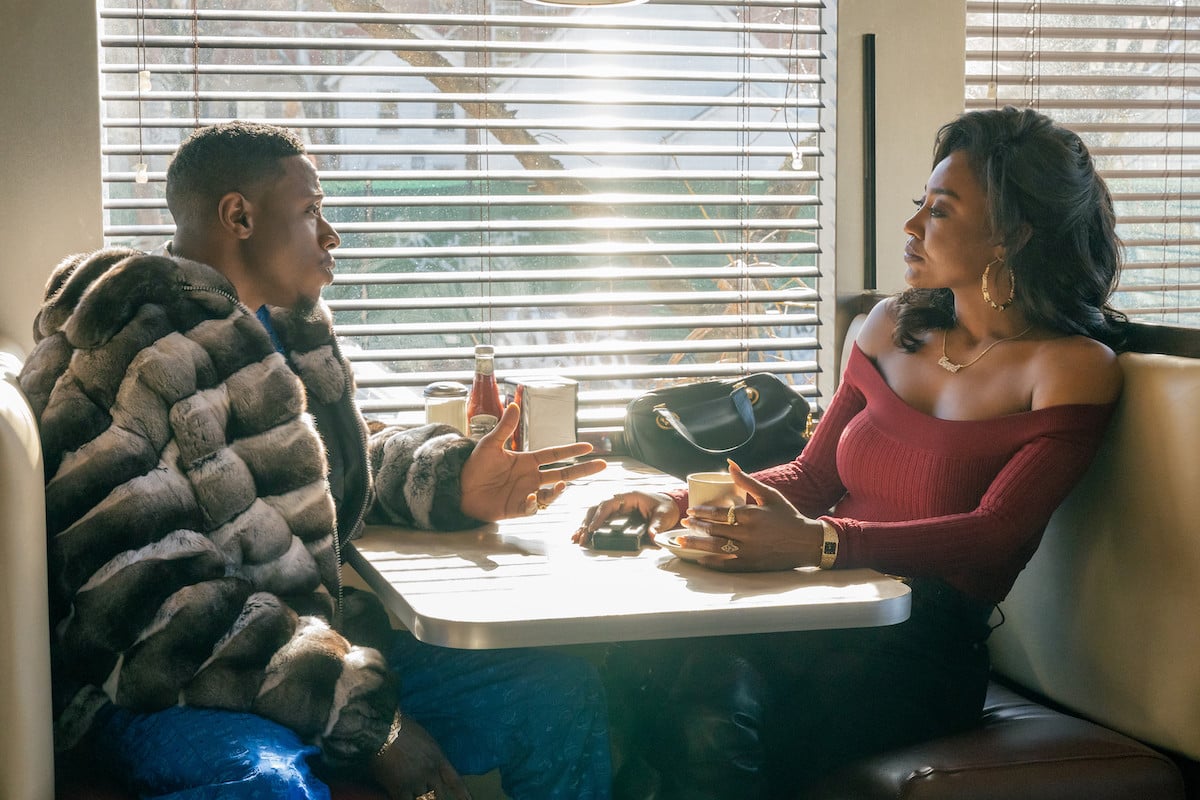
(1125,77)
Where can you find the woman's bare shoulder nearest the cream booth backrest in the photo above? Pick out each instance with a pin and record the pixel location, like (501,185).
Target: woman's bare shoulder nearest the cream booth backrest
(1076,370)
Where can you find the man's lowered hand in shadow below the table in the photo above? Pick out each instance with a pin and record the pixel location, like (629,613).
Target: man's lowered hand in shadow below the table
(413,766)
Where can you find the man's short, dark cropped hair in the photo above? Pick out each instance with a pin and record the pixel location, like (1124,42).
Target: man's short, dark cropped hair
(221,159)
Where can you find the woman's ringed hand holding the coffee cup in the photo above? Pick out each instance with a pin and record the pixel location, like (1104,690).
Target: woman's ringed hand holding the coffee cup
(771,536)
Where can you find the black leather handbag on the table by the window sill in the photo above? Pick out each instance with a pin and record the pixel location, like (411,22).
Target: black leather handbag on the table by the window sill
(757,420)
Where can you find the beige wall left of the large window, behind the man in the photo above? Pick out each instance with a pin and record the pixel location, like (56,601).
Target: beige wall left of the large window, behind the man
(50,148)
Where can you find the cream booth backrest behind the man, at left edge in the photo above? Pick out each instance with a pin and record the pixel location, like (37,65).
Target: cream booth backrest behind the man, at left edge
(27,753)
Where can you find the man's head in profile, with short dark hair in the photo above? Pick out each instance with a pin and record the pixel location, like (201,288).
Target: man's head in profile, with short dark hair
(247,201)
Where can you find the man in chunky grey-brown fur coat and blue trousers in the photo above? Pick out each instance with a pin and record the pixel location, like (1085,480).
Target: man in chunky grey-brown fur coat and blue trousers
(206,465)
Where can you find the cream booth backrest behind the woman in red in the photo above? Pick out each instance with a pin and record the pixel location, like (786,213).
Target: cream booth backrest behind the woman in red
(1106,619)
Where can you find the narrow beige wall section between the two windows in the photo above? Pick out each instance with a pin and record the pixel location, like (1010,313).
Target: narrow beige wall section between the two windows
(919,87)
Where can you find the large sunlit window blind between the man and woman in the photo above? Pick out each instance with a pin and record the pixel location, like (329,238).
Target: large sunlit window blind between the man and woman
(625,197)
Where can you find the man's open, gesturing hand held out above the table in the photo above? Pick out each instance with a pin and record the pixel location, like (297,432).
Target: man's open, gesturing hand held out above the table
(499,484)
